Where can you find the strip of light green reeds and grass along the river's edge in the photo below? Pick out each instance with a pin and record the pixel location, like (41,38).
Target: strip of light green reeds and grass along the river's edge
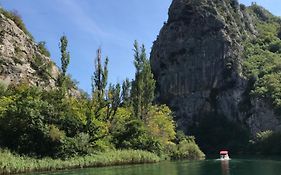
(11,163)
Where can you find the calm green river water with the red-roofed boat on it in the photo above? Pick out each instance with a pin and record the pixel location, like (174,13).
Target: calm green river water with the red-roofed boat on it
(206,167)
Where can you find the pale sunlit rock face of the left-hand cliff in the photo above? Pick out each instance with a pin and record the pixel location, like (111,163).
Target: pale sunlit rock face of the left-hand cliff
(21,60)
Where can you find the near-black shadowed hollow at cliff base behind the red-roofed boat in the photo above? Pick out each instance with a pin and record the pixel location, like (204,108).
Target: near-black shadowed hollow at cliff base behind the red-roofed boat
(215,132)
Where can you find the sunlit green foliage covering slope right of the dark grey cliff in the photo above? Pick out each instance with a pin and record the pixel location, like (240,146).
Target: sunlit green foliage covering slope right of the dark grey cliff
(263,57)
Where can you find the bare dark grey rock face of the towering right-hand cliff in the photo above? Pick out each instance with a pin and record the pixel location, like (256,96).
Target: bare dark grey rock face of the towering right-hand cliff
(196,61)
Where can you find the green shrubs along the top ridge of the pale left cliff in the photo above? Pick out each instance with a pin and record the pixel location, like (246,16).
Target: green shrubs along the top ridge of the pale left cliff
(14,16)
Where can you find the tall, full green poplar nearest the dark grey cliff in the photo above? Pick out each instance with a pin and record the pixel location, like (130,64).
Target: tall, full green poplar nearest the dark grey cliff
(144,85)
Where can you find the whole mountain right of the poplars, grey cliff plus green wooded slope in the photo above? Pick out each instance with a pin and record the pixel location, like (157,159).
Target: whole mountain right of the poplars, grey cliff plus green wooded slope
(216,66)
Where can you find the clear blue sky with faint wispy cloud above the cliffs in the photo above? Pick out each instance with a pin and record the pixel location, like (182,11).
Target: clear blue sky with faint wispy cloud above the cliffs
(112,25)
